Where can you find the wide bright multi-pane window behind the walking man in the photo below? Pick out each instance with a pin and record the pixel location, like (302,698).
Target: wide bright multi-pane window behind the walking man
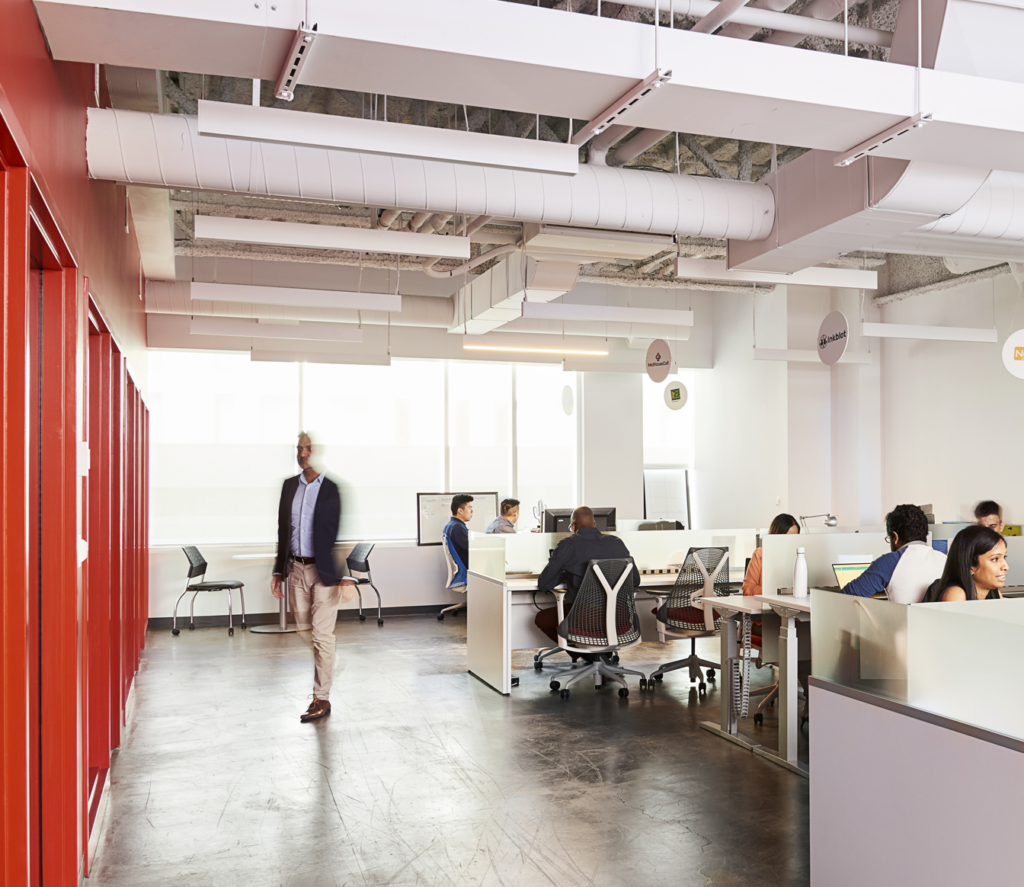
(224,434)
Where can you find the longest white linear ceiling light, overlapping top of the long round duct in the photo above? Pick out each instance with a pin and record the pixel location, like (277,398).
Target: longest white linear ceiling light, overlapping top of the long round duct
(378,137)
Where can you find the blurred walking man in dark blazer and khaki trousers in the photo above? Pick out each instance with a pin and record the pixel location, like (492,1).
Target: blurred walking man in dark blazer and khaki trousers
(308,529)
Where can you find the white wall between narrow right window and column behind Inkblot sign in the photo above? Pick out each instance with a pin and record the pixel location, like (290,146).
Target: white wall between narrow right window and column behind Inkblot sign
(742,436)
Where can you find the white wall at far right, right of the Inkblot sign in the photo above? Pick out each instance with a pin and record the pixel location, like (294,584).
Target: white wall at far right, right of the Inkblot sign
(952,415)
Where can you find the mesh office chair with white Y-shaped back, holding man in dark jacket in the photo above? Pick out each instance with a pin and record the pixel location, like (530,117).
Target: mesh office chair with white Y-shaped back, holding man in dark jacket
(603,621)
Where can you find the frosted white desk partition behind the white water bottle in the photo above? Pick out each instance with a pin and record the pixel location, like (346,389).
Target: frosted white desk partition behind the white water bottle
(822,552)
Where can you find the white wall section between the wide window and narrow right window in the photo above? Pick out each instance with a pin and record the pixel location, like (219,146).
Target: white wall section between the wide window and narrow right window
(613,442)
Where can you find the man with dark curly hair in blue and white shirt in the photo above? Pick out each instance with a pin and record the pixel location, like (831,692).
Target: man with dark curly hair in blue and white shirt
(910,569)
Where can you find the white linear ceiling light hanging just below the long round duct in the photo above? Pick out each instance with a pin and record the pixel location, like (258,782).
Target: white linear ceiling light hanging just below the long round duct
(329,238)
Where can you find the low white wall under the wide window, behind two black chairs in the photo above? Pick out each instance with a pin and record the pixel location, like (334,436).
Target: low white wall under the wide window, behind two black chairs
(406,575)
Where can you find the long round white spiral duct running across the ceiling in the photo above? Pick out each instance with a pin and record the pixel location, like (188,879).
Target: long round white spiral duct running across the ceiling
(167,151)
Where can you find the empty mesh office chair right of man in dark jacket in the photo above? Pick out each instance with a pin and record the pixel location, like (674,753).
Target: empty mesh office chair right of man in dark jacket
(681,614)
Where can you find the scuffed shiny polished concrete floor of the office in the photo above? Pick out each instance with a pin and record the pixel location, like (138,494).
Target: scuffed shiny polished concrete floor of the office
(423,776)
